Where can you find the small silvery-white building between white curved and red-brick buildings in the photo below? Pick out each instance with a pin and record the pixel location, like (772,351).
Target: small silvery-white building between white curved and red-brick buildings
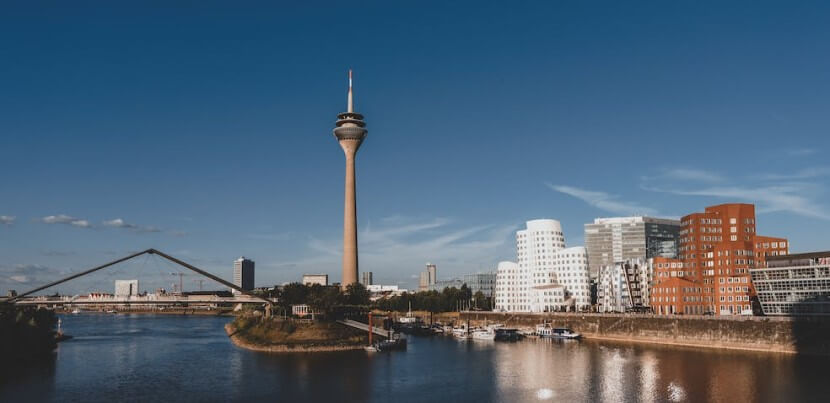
(624,286)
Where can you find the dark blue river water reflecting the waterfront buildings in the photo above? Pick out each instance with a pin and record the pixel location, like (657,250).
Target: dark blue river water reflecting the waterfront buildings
(147,358)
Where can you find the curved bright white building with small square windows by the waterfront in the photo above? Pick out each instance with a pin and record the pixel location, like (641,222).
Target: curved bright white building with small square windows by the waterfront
(547,276)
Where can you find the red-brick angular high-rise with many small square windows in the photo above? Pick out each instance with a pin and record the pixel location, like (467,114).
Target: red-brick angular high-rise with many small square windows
(716,250)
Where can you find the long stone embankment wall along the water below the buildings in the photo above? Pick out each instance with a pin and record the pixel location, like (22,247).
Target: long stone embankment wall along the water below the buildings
(774,334)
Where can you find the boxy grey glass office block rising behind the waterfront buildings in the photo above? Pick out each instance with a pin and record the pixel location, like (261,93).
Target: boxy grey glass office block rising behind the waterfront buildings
(618,239)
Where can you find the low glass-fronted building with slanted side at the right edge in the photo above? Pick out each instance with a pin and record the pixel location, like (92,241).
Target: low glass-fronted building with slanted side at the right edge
(797,284)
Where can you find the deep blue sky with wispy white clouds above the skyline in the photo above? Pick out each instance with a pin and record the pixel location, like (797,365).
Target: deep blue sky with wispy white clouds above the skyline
(204,129)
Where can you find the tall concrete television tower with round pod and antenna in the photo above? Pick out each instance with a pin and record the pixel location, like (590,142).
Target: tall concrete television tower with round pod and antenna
(350,132)
